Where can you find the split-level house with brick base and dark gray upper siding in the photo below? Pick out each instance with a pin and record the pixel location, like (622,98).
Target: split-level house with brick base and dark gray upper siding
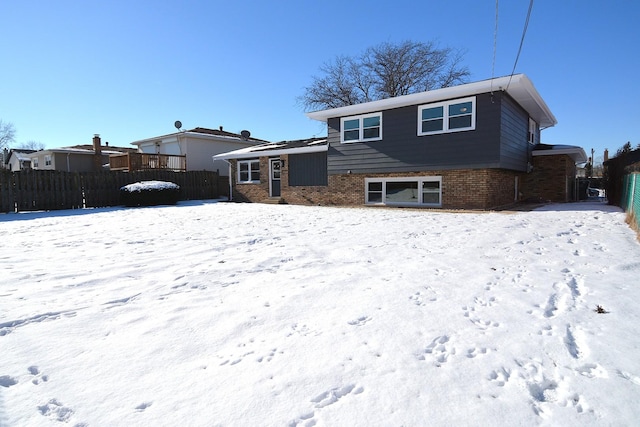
(473,146)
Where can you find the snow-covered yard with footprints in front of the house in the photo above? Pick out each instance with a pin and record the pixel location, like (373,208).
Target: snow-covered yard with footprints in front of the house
(206,314)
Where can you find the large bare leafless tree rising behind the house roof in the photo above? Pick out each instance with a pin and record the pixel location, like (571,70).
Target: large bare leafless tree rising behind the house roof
(384,71)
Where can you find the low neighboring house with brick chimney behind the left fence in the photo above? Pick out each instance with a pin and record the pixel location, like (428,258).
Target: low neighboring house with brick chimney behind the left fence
(80,158)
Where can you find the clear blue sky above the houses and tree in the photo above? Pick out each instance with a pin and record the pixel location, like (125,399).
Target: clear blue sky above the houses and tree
(129,69)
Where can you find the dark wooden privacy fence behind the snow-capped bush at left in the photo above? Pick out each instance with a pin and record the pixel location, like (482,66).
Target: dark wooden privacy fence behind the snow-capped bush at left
(50,190)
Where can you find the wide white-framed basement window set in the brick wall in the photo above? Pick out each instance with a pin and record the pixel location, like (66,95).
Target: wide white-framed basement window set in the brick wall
(410,191)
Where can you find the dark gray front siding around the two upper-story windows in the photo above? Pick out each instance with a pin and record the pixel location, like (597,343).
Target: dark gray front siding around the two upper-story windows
(401,150)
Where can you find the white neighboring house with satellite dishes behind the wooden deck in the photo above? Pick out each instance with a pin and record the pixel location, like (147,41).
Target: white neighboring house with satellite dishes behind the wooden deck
(197,146)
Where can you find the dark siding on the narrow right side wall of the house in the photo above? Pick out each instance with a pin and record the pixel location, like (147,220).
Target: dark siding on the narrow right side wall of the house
(514,131)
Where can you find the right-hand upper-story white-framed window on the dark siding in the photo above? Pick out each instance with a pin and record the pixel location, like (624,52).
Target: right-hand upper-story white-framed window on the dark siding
(450,116)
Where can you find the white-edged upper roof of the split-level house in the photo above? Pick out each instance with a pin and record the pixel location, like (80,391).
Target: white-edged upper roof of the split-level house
(518,86)
